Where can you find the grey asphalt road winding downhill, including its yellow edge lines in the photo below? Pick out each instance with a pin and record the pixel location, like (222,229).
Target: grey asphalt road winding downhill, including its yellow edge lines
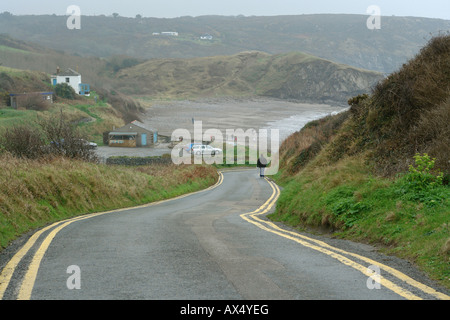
(212,245)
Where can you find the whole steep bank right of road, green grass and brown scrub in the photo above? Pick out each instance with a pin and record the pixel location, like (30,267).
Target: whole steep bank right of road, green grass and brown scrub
(347,174)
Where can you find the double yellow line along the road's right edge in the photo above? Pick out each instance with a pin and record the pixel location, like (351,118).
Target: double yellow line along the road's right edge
(336,253)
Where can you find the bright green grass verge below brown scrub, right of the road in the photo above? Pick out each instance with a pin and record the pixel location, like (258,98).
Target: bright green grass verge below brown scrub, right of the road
(348,201)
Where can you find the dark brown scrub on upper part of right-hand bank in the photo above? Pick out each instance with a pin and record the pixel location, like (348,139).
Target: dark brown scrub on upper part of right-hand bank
(409,112)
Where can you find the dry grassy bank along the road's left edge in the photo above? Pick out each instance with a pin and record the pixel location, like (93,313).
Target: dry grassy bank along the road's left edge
(36,193)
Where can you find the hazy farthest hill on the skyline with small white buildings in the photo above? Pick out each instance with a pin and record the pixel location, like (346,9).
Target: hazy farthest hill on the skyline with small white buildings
(341,38)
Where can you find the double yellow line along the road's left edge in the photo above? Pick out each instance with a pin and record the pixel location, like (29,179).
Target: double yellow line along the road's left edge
(29,279)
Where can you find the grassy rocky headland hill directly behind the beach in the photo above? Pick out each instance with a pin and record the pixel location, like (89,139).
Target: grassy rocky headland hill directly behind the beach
(295,76)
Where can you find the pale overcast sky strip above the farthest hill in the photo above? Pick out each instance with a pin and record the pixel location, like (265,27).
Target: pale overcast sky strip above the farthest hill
(176,8)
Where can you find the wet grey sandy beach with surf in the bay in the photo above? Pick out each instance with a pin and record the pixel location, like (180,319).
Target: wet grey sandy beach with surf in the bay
(228,113)
